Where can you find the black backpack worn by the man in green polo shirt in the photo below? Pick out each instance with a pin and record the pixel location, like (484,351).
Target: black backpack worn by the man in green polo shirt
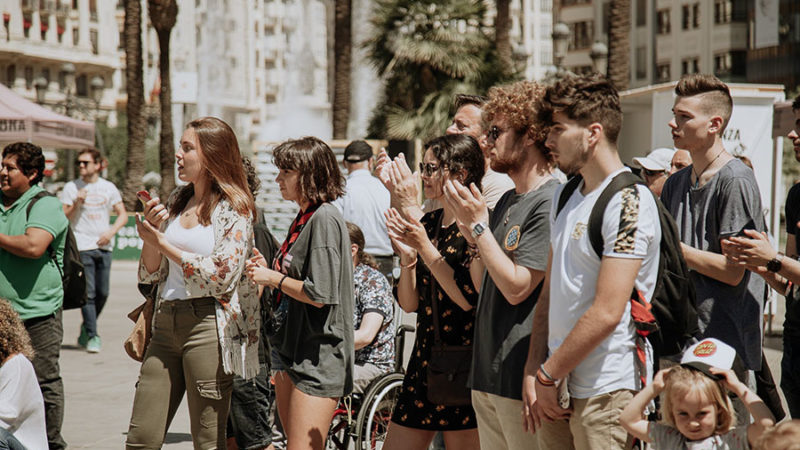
(73,277)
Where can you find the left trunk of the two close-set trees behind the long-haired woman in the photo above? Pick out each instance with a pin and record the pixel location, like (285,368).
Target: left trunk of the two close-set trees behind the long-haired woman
(137,125)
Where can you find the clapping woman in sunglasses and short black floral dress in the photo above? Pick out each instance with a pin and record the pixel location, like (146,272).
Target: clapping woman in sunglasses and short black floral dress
(435,260)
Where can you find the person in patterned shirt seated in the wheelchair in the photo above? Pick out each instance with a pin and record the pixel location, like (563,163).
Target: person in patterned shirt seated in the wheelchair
(373,316)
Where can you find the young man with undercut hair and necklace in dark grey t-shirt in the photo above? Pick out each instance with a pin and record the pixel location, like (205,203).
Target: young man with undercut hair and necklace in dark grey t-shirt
(713,198)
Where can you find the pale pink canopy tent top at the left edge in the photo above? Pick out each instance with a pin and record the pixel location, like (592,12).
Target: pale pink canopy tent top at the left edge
(24,120)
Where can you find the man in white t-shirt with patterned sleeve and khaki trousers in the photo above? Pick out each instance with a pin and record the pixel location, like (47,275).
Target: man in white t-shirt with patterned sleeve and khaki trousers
(583,333)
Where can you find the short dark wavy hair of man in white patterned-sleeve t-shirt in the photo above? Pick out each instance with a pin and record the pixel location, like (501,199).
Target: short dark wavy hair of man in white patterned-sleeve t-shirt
(585,99)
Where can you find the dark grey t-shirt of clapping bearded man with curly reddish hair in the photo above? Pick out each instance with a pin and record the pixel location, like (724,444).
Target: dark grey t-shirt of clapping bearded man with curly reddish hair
(521,225)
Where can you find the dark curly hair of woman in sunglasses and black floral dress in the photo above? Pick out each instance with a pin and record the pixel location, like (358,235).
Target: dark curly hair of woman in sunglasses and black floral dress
(458,152)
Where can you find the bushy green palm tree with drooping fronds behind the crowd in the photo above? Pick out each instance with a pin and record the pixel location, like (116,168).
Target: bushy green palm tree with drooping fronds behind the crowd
(426,52)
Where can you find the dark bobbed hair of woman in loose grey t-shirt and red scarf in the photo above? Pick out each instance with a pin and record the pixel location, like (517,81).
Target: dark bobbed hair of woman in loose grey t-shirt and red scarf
(320,178)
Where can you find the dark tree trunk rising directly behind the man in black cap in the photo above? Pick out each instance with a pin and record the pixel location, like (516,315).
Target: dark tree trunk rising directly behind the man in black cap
(342,55)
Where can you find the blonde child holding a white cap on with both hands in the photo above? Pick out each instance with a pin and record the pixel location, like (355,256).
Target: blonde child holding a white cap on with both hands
(695,408)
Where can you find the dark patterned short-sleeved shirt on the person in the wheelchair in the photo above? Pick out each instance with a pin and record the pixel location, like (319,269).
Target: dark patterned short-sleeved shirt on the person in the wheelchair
(373,294)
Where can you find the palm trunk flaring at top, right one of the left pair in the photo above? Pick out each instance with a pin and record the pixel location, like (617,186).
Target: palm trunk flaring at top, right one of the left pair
(163,14)
